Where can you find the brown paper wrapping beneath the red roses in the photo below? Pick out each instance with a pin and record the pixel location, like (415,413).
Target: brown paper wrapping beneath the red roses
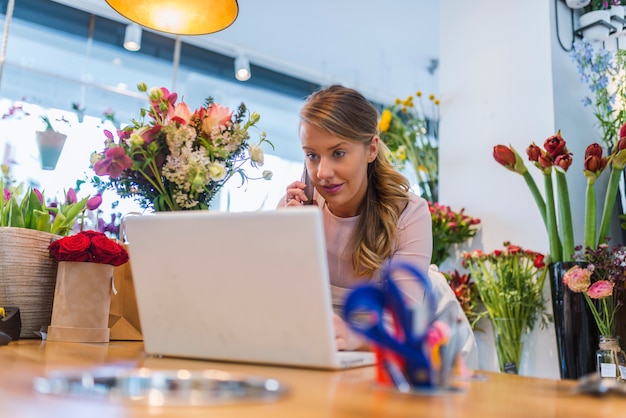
(82,298)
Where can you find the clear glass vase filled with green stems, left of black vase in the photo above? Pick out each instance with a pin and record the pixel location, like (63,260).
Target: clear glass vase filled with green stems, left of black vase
(508,338)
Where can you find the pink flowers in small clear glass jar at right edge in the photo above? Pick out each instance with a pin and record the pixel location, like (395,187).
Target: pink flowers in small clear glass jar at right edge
(599,277)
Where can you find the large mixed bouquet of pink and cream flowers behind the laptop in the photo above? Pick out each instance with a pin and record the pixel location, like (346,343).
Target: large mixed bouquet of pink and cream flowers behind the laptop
(178,159)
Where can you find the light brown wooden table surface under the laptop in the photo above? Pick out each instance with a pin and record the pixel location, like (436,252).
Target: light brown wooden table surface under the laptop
(312,393)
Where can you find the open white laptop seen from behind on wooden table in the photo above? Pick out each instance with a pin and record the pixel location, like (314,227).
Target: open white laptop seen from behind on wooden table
(248,287)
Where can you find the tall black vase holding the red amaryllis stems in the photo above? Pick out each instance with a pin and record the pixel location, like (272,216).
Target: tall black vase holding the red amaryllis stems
(576,331)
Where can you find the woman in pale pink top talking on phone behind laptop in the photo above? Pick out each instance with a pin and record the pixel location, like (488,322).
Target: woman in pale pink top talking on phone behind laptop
(370,216)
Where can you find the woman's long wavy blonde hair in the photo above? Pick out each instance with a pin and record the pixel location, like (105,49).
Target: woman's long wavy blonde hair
(347,114)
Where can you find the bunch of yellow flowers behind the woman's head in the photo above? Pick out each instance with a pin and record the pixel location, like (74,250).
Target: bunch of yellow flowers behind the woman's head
(413,136)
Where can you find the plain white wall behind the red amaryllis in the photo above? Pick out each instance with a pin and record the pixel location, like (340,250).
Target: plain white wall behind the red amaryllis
(500,83)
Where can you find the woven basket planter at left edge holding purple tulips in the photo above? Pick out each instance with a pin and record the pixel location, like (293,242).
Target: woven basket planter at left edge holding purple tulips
(27,276)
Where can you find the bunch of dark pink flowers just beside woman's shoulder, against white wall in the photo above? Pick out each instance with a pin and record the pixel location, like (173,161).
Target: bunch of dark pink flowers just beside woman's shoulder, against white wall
(449,228)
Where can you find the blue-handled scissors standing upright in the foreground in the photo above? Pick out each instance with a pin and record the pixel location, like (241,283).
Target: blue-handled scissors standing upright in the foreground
(364,311)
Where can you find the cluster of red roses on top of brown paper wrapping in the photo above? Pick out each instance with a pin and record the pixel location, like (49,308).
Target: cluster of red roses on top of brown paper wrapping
(89,246)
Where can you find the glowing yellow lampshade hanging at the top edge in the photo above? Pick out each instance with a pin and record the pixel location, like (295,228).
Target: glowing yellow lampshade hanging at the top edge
(179,17)
